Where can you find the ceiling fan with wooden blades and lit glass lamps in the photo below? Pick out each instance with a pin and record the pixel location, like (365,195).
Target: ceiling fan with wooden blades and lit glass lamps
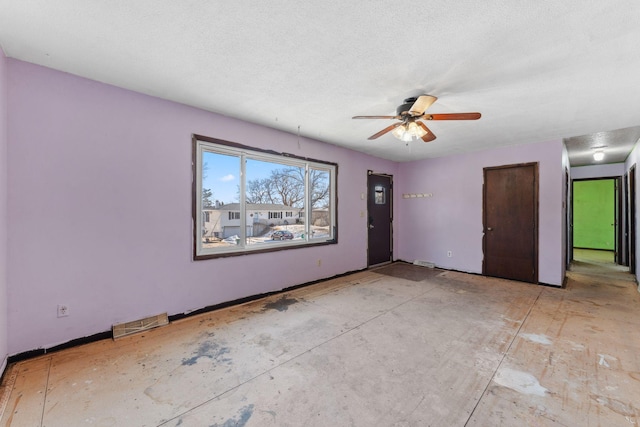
(410,113)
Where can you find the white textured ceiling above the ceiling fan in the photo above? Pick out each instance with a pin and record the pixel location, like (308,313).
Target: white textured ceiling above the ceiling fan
(536,70)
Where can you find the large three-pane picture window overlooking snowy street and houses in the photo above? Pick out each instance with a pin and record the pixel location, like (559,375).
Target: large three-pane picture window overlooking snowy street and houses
(257,189)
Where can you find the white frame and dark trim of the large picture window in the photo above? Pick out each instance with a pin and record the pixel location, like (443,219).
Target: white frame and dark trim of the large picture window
(201,144)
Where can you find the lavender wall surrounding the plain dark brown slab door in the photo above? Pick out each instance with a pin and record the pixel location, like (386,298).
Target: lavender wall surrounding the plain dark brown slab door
(451,220)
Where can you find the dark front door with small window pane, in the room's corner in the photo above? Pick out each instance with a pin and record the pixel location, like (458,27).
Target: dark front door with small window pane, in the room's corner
(379,215)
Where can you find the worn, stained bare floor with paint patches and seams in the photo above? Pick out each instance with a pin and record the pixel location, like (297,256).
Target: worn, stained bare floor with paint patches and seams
(397,346)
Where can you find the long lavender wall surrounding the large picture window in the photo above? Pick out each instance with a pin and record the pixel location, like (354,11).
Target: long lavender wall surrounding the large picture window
(99,209)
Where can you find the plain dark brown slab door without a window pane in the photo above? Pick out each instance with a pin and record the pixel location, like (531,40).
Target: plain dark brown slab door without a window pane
(511,222)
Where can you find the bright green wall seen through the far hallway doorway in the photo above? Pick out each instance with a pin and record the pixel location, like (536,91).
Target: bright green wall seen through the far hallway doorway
(594,214)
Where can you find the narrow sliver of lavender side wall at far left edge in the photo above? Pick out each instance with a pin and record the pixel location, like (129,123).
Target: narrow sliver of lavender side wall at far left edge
(3,212)
